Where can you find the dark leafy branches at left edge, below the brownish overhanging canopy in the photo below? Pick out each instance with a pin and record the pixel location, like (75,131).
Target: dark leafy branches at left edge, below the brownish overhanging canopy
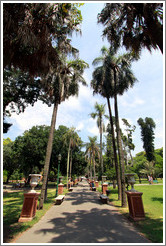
(19,90)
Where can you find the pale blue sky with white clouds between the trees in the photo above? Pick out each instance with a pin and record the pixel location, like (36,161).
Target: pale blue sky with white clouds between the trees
(145,99)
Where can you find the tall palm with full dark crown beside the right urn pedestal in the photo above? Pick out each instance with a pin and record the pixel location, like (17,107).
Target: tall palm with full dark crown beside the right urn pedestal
(115,77)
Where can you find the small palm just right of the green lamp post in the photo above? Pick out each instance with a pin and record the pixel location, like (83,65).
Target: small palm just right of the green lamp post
(71,139)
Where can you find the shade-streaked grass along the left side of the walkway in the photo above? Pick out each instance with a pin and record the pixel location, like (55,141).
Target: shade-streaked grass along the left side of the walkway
(12,206)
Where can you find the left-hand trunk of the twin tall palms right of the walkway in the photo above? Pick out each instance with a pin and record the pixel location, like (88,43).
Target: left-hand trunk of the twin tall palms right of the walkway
(114,149)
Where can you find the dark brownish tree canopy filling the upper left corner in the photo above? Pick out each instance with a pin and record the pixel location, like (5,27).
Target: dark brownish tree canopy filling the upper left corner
(34,32)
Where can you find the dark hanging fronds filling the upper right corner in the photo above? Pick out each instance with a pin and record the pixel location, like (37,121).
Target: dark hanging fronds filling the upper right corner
(134,25)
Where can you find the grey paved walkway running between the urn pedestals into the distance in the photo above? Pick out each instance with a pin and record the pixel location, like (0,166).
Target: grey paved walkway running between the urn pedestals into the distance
(82,218)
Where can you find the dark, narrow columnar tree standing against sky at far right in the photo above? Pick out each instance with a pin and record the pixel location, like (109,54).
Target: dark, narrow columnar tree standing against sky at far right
(147,136)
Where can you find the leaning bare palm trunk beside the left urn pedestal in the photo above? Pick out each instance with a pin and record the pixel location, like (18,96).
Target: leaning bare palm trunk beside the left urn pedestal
(48,155)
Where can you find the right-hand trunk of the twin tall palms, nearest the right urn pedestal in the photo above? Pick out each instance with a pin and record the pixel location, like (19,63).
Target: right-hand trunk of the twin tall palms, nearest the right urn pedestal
(121,154)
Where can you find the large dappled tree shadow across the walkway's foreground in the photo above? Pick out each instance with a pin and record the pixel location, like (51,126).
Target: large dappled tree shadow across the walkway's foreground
(94,226)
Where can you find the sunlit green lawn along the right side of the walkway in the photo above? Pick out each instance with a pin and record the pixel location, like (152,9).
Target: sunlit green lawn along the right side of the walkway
(152,197)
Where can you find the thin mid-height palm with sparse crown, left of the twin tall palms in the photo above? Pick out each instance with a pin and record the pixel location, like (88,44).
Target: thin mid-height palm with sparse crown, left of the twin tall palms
(99,113)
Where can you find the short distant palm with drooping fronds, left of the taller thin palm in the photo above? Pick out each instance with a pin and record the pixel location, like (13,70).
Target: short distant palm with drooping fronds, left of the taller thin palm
(92,150)
